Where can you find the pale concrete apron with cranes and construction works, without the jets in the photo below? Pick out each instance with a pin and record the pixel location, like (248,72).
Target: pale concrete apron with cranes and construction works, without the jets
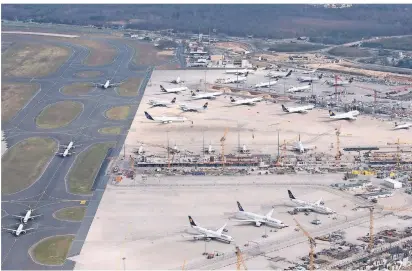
(201,166)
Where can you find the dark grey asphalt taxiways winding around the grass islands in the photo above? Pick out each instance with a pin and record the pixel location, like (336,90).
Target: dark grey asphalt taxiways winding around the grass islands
(49,193)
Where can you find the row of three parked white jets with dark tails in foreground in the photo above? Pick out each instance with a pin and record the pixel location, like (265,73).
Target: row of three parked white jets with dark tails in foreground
(257,219)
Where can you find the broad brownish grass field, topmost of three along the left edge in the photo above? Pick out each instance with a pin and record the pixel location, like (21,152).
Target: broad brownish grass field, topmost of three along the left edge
(32,59)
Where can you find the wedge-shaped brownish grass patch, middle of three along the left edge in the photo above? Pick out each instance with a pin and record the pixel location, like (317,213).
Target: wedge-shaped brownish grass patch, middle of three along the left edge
(14,96)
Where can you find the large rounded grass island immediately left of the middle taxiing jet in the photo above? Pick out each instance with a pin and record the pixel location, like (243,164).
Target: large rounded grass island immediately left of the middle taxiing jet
(24,162)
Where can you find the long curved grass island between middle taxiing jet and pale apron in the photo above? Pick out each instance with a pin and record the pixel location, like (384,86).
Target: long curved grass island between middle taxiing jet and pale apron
(82,175)
